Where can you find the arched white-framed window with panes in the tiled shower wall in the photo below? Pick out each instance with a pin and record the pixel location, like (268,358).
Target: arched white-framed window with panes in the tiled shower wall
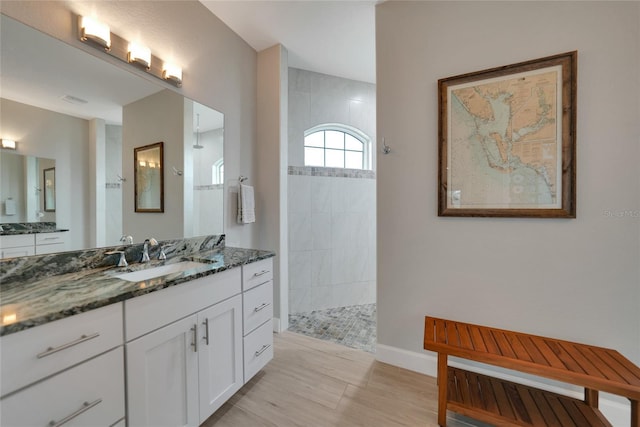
(336,145)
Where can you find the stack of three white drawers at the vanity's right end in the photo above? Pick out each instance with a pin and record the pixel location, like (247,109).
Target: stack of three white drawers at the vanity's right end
(257,286)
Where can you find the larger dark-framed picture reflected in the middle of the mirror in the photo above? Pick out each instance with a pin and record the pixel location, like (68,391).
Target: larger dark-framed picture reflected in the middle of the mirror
(149,178)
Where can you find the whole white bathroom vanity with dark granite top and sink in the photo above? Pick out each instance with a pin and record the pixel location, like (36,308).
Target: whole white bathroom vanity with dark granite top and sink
(101,346)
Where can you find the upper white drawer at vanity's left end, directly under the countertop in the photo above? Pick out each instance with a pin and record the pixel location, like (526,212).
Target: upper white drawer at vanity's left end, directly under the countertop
(35,353)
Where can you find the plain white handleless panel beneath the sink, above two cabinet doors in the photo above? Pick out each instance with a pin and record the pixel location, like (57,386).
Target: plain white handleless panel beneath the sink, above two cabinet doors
(149,312)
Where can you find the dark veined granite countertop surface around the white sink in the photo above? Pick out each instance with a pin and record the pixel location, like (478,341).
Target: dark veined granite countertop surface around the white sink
(26,304)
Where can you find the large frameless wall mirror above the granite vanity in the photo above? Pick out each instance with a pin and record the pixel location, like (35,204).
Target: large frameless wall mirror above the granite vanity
(67,107)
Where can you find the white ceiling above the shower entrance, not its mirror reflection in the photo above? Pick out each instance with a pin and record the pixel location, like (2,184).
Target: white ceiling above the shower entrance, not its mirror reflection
(329,37)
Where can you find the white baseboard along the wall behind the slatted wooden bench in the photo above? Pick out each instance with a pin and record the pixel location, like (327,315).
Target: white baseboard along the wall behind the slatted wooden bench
(617,413)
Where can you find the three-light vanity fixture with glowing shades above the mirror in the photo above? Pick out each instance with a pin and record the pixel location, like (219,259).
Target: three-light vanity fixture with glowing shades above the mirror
(130,52)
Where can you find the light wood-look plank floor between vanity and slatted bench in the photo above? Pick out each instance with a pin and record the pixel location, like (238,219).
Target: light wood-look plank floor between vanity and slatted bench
(316,383)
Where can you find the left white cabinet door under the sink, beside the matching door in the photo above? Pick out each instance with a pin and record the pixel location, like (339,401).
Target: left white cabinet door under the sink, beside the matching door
(162,376)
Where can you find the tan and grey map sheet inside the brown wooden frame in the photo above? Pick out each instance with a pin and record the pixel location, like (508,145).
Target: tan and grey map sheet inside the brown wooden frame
(505,143)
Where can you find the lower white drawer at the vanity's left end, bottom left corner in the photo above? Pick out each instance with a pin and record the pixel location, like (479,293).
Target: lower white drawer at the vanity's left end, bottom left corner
(98,382)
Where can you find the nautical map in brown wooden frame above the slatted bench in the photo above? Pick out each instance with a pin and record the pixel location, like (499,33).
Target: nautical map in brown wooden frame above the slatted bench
(507,140)
